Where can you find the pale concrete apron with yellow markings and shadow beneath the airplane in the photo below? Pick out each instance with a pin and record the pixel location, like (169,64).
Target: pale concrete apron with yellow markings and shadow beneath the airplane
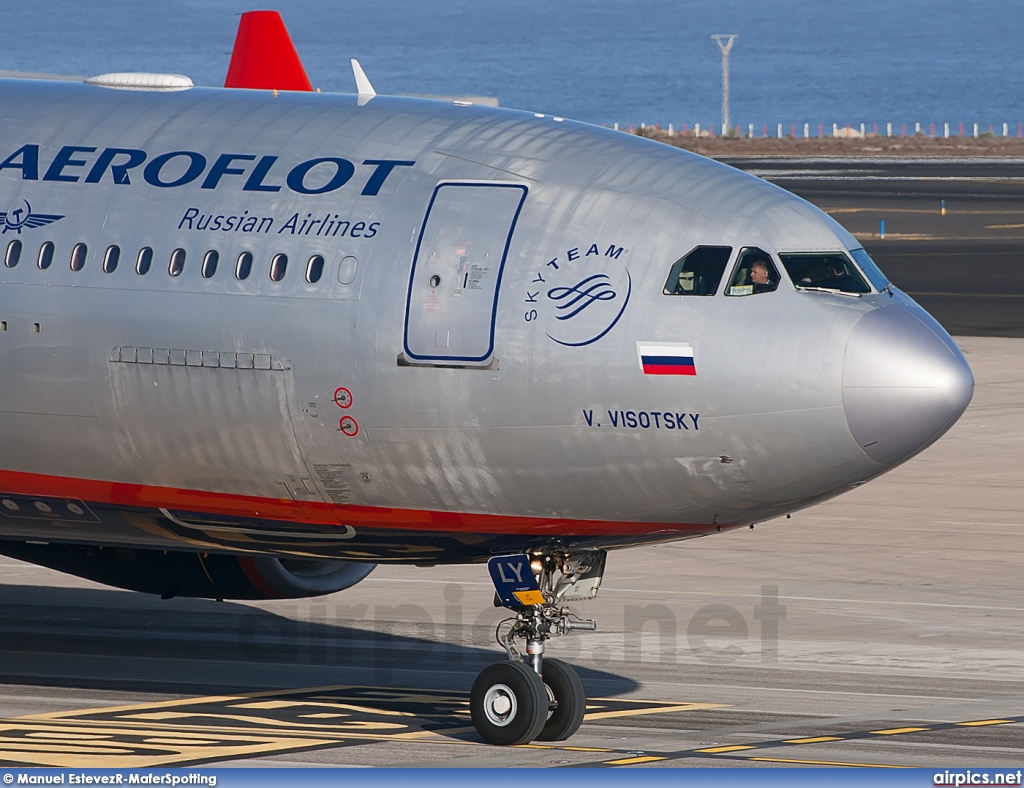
(883,628)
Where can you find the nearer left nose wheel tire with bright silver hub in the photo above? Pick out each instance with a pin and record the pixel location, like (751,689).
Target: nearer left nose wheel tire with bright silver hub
(508,704)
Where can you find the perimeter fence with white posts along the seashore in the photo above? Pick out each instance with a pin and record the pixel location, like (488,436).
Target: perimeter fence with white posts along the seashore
(849,132)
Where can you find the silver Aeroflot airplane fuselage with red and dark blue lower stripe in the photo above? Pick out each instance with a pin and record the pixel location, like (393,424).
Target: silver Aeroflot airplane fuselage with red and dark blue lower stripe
(452,362)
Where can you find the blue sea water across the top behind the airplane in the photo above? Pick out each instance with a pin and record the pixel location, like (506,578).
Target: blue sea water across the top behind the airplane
(795,62)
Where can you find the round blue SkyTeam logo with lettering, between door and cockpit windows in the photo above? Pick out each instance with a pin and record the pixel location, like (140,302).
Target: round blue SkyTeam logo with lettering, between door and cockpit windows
(581,295)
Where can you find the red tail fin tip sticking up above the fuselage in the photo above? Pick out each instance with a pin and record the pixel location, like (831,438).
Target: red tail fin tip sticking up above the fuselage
(265,57)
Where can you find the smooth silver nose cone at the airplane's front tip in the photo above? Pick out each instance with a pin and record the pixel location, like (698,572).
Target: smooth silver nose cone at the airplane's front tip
(905,383)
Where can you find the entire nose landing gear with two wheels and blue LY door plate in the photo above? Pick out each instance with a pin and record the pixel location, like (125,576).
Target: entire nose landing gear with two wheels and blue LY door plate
(529,697)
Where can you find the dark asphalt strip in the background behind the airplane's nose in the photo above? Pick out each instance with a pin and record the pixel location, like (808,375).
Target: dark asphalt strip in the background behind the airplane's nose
(964,266)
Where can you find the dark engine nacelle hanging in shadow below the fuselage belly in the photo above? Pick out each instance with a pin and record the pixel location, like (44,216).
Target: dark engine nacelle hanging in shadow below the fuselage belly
(194,575)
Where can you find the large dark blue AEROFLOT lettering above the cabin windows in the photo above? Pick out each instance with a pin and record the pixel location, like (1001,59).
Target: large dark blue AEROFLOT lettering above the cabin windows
(74,164)
